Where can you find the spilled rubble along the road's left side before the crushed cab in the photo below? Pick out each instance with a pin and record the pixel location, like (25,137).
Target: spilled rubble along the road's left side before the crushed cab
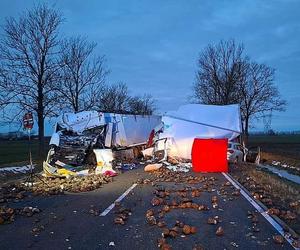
(13,193)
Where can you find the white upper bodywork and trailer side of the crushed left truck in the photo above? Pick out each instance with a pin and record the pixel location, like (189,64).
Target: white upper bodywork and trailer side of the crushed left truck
(121,130)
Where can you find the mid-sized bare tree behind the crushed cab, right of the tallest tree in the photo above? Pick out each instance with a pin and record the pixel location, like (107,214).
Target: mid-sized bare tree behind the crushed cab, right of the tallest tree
(82,75)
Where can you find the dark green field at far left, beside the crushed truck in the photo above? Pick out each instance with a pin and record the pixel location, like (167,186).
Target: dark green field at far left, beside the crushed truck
(15,152)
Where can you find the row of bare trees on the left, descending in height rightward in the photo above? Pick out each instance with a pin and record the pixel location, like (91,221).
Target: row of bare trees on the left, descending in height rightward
(46,73)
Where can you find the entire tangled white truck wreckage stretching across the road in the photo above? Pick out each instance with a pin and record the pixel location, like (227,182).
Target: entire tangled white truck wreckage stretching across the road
(92,141)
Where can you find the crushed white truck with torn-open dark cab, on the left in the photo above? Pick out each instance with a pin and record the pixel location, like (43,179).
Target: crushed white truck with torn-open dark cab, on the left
(88,141)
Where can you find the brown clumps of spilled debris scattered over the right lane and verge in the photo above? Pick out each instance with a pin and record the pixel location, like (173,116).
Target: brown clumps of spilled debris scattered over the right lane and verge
(169,199)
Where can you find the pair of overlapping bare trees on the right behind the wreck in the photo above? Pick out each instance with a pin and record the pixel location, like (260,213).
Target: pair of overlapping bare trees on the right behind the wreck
(225,75)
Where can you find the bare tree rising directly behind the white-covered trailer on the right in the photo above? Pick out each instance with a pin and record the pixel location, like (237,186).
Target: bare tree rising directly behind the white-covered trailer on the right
(220,71)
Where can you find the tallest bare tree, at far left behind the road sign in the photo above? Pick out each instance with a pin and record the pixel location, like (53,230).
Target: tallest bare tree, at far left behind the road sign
(28,51)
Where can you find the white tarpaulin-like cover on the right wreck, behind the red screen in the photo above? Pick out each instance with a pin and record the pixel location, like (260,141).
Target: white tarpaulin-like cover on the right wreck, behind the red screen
(199,121)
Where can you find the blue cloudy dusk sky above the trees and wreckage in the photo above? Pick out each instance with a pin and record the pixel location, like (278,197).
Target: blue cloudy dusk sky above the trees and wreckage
(153,45)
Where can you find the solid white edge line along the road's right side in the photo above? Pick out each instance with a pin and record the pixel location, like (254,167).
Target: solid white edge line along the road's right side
(273,222)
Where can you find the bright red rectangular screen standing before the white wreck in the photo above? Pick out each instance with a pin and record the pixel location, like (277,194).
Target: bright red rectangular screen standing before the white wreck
(210,155)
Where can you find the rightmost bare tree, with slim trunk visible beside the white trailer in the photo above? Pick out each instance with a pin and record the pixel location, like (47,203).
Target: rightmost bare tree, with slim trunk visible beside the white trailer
(258,94)
